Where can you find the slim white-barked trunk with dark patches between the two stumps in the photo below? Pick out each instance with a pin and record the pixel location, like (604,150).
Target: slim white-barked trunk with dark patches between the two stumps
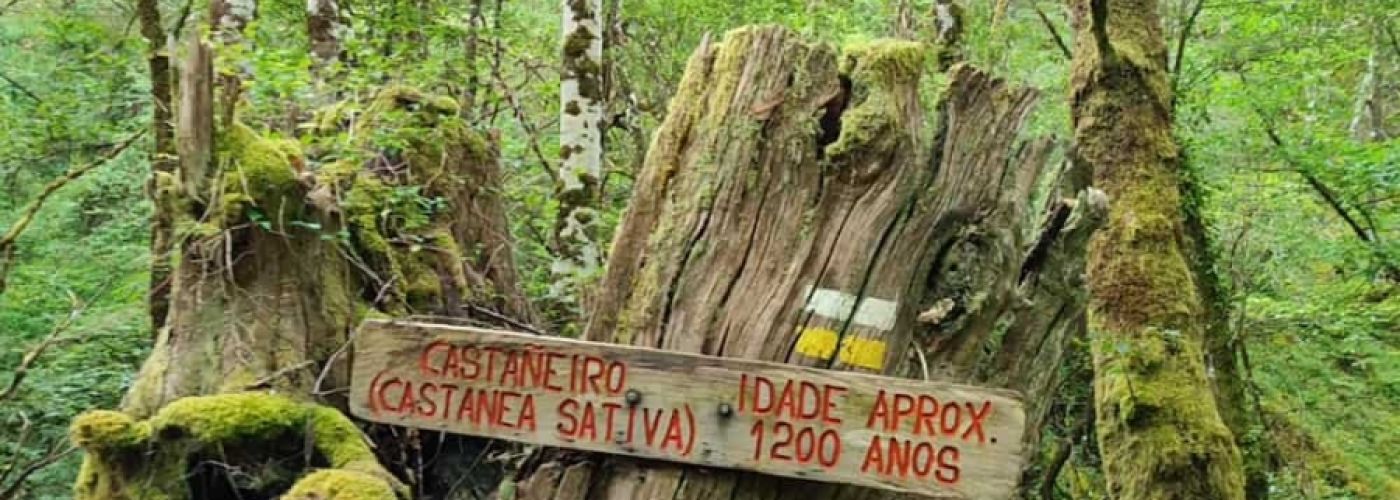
(580,144)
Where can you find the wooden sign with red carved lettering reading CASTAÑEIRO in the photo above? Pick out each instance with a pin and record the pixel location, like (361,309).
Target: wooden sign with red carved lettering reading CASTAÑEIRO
(934,439)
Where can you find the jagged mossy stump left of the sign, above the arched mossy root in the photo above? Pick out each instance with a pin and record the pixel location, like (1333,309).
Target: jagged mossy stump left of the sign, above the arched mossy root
(278,263)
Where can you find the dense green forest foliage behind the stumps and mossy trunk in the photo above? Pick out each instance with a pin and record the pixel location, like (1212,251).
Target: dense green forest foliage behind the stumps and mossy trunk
(1289,113)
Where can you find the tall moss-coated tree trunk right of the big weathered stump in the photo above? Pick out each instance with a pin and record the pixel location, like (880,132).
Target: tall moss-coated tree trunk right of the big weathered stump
(1160,431)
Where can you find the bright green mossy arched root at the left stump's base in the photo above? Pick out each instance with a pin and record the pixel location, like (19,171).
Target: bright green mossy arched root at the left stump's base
(146,460)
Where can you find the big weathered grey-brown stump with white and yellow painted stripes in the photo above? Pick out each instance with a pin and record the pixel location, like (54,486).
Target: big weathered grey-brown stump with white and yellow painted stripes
(786,174)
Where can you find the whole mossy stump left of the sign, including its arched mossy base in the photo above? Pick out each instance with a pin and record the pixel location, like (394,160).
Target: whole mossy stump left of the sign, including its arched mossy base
(279,256)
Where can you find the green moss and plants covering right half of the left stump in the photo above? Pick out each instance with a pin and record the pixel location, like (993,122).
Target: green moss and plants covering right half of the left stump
(400,223)
